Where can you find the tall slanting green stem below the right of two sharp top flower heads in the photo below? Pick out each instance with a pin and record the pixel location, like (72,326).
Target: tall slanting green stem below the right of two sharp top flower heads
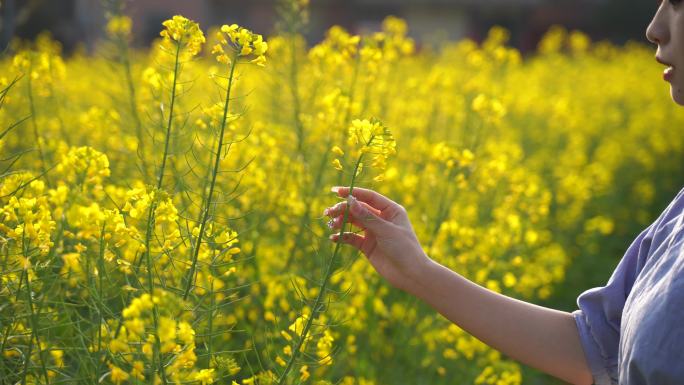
(207,204)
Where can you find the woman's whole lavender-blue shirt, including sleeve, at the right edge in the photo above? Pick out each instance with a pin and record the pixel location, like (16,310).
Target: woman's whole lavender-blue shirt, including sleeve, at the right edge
(632,329)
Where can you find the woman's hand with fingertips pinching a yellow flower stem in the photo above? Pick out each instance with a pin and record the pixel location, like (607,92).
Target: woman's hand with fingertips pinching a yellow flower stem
(388,239)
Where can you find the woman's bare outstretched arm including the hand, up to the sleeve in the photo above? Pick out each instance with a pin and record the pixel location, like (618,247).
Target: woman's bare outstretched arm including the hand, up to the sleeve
(543,338)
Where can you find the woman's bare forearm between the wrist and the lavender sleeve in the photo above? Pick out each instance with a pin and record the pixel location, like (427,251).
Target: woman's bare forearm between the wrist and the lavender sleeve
(540,337)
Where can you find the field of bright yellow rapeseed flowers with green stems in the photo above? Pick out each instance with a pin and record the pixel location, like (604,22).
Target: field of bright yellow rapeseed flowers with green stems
(161,211)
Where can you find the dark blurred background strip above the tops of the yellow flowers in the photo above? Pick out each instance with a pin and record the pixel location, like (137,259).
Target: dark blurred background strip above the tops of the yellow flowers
(75,22)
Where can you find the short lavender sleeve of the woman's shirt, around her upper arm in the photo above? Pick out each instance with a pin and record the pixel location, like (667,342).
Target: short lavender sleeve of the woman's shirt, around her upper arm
(600,312)
